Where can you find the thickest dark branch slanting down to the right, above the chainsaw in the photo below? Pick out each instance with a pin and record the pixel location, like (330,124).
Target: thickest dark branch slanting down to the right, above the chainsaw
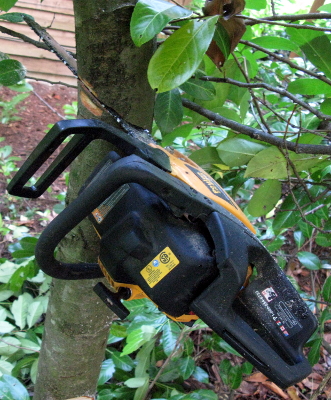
(256,133)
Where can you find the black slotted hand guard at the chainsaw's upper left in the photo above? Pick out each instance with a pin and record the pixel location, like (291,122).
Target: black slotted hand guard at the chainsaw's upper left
(84,131)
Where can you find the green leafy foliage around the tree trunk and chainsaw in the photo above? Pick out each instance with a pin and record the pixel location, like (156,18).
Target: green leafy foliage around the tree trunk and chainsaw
(283,185)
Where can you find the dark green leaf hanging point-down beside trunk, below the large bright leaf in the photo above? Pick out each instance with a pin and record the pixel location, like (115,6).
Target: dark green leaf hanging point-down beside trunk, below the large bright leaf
(168,111)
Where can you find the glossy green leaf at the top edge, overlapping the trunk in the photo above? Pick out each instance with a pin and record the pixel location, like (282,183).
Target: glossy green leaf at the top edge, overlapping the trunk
(151,16)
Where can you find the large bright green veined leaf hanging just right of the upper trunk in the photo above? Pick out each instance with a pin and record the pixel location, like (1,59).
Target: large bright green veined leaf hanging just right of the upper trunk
(176,60)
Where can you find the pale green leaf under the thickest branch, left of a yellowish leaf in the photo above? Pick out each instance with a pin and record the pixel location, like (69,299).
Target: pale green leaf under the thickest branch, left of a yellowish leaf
(236,152)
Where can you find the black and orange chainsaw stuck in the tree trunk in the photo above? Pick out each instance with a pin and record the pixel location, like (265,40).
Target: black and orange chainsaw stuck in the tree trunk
(168,232)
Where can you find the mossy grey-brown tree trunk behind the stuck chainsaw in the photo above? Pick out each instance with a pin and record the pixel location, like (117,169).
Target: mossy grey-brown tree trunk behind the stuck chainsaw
(77,323)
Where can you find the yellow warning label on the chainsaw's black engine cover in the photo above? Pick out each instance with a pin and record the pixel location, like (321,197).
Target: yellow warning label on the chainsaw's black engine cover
(159,267)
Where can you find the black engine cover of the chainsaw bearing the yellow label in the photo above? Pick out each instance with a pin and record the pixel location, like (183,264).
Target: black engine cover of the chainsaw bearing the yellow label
(143,243)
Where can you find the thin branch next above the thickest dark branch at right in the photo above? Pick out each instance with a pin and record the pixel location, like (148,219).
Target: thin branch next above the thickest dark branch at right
(266,86)
